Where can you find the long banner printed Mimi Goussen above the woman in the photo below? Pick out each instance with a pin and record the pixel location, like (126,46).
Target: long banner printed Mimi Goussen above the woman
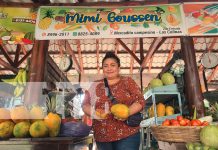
(109,22)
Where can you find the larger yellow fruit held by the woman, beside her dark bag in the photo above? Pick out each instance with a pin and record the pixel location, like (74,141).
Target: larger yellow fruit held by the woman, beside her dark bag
(120,111)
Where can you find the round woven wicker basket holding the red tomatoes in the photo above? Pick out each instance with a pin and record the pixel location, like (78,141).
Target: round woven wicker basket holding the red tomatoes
(177,133)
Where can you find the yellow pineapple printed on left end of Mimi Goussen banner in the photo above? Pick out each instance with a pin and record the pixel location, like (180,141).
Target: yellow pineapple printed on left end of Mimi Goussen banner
(47,20)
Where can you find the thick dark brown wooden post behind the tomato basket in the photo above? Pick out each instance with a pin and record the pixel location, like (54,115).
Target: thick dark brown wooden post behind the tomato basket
(192,82)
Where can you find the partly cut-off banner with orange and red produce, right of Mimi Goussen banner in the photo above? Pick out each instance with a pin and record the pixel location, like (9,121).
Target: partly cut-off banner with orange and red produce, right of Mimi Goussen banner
(201,18)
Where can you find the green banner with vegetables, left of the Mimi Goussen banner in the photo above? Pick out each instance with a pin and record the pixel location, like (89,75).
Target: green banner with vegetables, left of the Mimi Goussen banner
(17,25)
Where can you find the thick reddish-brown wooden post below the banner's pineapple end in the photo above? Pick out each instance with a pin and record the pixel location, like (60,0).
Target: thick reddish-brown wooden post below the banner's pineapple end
(37,67)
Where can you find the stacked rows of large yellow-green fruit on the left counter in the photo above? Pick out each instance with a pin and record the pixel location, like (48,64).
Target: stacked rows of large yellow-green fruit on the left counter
(21,122)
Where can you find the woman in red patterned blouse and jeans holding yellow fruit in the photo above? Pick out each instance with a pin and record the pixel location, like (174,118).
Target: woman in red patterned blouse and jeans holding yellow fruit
(110,132)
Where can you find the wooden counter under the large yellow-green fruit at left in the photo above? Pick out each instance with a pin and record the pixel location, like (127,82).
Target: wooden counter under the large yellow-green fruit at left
(56,143)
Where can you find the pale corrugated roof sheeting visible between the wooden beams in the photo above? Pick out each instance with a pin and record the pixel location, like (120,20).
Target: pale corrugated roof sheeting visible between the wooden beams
(89,53)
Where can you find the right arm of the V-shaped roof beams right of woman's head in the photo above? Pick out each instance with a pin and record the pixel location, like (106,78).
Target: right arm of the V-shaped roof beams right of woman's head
(157,42)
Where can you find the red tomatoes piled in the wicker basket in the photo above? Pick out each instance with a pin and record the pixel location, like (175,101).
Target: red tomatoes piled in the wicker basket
(181,121)
